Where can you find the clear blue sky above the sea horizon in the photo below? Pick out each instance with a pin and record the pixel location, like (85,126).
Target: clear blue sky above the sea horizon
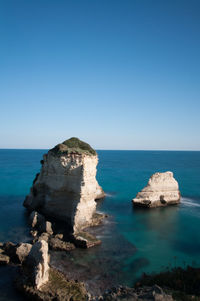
(117,74)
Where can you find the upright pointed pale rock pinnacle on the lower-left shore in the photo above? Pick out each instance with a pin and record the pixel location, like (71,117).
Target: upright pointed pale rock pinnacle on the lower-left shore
(36,265)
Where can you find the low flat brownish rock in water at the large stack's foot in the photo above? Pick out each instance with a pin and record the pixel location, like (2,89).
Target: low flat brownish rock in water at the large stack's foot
(85,240)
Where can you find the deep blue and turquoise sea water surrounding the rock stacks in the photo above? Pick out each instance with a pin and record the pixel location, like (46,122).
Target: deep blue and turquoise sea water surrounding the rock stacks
(133,241)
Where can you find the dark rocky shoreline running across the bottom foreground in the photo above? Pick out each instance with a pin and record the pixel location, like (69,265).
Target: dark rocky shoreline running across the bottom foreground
(176,284)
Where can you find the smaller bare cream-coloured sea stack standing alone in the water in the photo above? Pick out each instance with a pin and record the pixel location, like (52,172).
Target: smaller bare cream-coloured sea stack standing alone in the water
(161,190)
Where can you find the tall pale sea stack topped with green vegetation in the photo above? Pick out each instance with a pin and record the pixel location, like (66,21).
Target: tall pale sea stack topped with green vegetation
(66,187)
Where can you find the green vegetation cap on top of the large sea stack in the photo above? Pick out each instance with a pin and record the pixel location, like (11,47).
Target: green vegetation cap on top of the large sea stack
(73,146)
